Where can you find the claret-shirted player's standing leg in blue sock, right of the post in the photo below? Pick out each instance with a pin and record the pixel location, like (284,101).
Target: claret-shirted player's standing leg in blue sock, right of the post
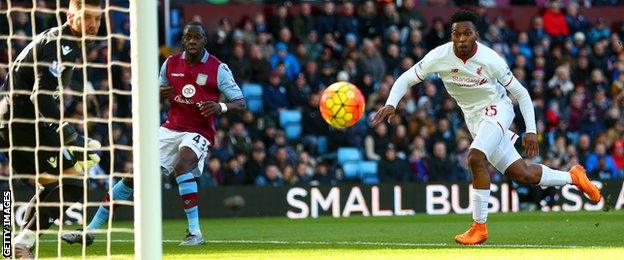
(185,162)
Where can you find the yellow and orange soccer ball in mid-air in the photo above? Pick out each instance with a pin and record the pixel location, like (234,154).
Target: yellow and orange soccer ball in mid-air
(342,104)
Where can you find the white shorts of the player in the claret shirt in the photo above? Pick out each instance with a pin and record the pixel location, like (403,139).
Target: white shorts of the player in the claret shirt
(170,142)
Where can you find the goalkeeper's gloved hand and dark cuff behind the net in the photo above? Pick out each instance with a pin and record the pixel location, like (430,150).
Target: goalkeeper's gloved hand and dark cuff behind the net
(76,146)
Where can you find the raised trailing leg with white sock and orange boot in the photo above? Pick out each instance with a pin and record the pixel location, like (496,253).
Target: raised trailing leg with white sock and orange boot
(524,173)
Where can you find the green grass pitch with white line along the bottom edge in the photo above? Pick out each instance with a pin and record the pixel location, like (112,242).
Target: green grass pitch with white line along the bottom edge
(521,235)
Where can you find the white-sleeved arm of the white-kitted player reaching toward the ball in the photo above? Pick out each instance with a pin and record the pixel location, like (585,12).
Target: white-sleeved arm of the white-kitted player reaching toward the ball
(399,89)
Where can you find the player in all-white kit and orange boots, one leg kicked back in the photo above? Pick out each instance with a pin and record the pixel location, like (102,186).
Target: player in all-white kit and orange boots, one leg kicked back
(478,79)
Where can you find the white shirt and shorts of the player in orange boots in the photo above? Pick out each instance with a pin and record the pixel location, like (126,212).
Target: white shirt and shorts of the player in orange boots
(479,86)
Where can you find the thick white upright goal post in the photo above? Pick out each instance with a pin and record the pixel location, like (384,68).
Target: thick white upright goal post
(145,117)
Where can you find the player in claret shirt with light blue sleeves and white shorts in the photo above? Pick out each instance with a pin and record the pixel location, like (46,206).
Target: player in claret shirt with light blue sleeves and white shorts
(192,81)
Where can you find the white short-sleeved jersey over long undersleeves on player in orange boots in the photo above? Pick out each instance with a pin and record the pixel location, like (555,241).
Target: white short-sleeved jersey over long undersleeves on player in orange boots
(474,83)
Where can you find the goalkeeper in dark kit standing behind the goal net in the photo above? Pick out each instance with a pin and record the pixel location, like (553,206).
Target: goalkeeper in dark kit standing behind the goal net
(37,78)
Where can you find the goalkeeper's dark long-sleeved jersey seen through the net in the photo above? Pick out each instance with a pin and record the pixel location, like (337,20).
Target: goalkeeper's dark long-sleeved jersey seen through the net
(48,52)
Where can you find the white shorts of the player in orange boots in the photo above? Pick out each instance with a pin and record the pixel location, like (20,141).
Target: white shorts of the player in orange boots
(499,116)
